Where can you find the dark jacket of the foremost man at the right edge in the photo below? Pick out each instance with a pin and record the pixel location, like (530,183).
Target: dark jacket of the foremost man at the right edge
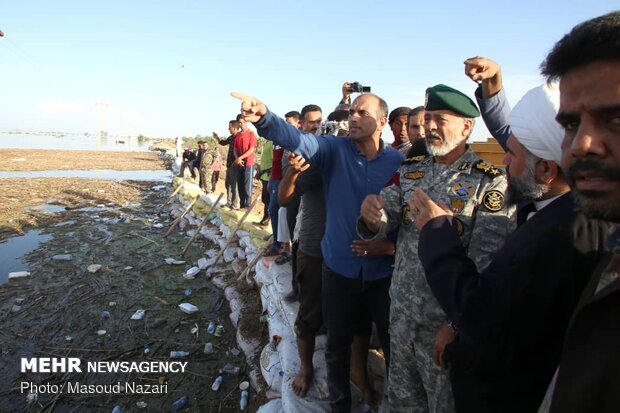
(589,375)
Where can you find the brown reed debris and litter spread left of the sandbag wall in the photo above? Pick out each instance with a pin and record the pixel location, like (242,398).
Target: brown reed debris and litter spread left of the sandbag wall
(64,310)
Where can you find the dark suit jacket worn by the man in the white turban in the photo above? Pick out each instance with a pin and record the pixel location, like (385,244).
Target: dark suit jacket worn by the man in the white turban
(511,317)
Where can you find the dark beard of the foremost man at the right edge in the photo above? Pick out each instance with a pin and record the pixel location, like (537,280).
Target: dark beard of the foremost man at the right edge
(595,204)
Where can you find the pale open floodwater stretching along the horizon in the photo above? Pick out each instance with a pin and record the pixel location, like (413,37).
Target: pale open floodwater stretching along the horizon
(72,142)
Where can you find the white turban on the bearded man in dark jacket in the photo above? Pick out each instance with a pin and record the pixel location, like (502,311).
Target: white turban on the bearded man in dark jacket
(533,122)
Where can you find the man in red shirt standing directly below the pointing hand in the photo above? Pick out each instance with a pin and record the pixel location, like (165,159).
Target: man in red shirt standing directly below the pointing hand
(245,145)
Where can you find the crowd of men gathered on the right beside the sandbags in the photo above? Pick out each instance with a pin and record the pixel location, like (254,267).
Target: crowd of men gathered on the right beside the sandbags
(491,290)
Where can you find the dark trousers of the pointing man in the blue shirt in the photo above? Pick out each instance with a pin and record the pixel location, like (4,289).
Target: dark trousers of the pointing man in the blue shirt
(344,299)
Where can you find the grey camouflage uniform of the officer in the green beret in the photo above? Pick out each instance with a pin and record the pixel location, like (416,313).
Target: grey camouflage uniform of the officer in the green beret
(474,190)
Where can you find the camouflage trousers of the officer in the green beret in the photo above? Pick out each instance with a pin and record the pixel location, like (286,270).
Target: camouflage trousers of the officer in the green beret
(417,384)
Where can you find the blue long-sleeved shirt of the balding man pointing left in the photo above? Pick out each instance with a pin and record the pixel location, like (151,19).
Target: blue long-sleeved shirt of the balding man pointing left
(348,177)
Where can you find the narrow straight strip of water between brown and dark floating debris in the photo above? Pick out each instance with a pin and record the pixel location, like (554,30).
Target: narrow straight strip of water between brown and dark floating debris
(108,174)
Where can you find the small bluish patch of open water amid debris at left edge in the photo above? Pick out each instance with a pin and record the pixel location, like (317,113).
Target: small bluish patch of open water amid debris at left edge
(14,249)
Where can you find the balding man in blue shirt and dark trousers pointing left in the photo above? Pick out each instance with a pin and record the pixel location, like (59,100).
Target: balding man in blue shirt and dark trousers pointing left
(352,168)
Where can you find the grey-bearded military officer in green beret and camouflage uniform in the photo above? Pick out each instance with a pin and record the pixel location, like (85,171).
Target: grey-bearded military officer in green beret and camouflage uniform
(474,191)
